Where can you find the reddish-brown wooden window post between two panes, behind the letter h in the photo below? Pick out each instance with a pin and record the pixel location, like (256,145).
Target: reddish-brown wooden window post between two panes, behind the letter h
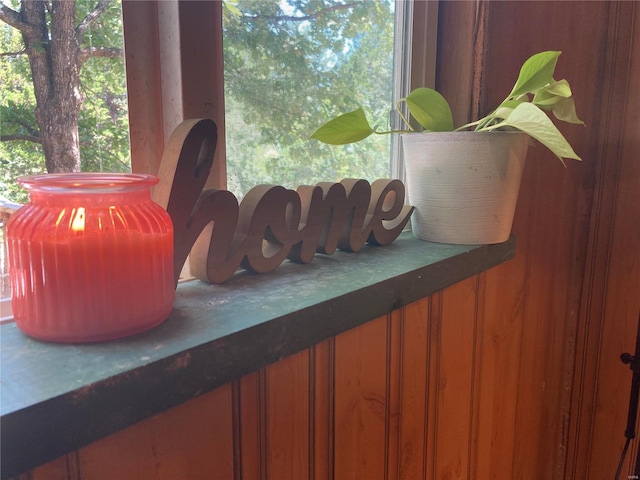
(174,69)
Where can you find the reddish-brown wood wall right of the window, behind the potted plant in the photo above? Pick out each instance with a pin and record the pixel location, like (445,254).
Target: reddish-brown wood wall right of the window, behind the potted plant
(576,277)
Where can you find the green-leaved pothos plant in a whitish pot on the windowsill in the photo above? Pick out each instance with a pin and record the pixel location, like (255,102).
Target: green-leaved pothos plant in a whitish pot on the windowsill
(464,181)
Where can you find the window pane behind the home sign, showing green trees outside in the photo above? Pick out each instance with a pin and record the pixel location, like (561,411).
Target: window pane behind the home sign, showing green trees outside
(290,66)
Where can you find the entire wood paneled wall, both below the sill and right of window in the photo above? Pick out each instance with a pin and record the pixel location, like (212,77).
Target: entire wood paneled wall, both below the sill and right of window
(512,374)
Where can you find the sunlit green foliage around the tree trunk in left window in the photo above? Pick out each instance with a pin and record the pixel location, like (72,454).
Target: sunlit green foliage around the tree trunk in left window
(103,123)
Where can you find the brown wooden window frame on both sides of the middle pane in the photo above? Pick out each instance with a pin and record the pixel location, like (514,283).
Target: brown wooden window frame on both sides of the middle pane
(170,78)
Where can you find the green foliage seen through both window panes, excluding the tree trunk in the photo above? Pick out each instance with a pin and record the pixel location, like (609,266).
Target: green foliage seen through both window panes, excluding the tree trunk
(288,64)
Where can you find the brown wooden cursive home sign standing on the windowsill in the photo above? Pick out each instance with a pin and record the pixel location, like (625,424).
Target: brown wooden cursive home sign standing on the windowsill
(272,223)
